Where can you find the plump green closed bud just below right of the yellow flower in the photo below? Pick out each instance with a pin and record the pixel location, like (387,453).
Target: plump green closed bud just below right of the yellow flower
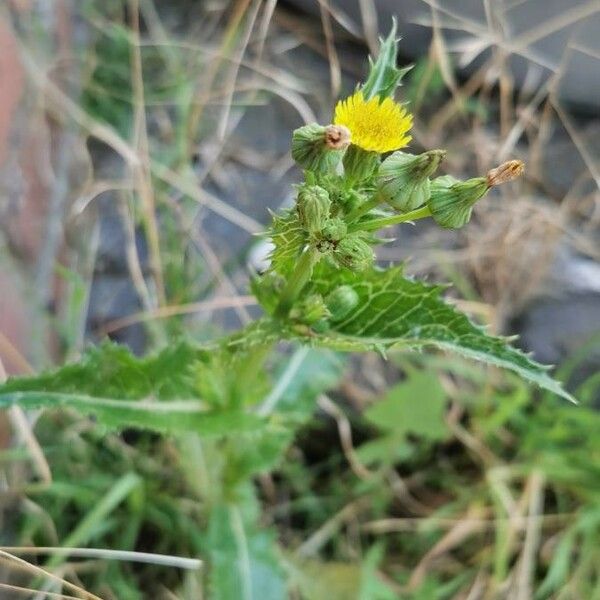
(403,179)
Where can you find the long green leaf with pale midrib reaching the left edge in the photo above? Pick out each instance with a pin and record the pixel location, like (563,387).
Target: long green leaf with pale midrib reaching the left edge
(121,390)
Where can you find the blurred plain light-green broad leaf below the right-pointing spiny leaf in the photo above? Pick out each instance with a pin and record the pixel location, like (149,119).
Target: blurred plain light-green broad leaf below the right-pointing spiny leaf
(415,406)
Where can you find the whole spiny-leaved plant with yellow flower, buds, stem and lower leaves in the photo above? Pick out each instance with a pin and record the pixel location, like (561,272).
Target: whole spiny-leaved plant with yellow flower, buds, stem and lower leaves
(323,290)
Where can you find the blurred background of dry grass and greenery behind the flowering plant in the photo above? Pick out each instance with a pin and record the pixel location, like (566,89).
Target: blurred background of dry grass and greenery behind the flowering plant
(141,144)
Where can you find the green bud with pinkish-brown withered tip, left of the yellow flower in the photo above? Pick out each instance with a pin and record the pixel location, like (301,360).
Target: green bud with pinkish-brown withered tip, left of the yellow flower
(317,148)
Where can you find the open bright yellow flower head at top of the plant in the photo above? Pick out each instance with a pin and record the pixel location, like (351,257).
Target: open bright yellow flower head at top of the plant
(375,125)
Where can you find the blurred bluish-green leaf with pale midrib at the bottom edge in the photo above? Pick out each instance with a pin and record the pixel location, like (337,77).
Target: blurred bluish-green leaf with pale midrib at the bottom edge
(243,562)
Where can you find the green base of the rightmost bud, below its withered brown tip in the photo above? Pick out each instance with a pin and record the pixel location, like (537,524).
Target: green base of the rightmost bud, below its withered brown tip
(451,201)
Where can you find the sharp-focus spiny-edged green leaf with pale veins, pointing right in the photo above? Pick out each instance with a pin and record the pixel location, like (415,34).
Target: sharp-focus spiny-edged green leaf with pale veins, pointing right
(394,311)
